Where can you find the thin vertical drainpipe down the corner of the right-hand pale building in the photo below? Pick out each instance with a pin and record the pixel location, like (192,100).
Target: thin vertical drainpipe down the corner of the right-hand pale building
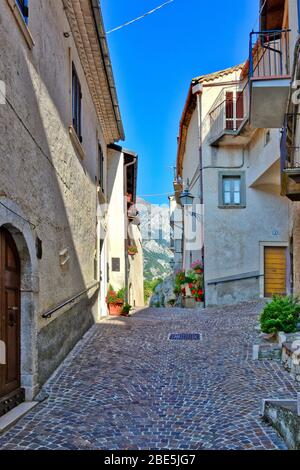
(198,91)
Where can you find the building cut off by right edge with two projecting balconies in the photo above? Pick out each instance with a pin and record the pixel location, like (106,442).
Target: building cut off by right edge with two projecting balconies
(279,86)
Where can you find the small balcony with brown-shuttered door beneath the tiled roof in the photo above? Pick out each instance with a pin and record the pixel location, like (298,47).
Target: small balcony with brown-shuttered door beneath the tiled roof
(228,118)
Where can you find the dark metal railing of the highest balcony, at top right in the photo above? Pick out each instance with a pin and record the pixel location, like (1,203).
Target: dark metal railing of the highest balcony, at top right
(269,54)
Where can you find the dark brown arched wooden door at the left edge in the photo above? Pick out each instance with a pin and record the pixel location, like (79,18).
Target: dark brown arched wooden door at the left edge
(9,315)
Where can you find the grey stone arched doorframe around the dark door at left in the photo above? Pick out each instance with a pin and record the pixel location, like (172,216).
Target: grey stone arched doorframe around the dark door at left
(24,238)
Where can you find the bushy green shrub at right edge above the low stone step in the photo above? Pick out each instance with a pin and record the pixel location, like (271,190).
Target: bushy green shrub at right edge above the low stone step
(282,314)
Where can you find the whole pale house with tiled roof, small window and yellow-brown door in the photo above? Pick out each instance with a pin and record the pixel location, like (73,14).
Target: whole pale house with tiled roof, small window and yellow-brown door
(238,222)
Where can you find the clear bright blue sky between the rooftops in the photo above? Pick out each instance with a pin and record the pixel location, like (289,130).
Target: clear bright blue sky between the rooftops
(154,61)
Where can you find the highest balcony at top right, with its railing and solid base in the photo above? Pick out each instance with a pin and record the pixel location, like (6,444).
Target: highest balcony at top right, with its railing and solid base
(269,71)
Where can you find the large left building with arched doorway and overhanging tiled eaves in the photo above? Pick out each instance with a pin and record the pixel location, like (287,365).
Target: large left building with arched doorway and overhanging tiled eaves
(59,115)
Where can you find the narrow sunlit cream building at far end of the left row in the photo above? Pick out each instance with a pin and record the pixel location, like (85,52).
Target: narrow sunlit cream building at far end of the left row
(126,270)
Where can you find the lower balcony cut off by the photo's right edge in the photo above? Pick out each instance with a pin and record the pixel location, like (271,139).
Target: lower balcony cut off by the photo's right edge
(290,159)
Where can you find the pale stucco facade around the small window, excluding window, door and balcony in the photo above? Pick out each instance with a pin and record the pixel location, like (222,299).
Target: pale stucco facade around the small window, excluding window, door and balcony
(234,236)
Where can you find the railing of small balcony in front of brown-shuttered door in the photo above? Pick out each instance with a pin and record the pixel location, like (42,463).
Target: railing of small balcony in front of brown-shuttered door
(229,113)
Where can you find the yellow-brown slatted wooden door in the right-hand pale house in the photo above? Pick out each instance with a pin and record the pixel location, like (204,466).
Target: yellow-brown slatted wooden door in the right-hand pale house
(275,271)
